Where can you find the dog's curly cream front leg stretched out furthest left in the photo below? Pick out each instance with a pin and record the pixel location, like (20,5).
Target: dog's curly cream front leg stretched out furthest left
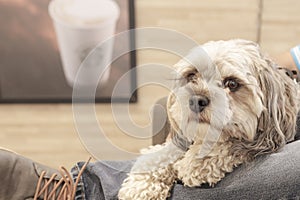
(152,175)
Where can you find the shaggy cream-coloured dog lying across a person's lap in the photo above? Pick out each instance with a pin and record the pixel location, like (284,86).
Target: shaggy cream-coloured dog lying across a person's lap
(230,104)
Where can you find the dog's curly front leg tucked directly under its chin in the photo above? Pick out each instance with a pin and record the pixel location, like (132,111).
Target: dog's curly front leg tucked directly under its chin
(194,170)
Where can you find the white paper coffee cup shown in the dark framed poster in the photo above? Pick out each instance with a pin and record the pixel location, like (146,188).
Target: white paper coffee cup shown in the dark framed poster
(80,26)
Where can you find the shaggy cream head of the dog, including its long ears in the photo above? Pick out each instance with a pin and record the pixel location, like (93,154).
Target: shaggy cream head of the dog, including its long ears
(229,88)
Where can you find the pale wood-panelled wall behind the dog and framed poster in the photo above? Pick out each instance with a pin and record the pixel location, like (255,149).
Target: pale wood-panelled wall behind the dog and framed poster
(47,132)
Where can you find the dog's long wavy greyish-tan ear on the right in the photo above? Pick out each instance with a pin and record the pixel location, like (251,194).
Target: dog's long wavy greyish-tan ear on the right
(277,123)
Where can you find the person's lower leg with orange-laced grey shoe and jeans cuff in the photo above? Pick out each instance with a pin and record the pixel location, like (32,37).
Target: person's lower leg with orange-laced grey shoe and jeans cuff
(23,179)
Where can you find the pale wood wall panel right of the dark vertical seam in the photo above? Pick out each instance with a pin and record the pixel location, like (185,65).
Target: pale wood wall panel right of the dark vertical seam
(280,25)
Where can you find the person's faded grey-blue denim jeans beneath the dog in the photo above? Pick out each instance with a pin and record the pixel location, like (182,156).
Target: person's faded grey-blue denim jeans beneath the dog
(275,176)
